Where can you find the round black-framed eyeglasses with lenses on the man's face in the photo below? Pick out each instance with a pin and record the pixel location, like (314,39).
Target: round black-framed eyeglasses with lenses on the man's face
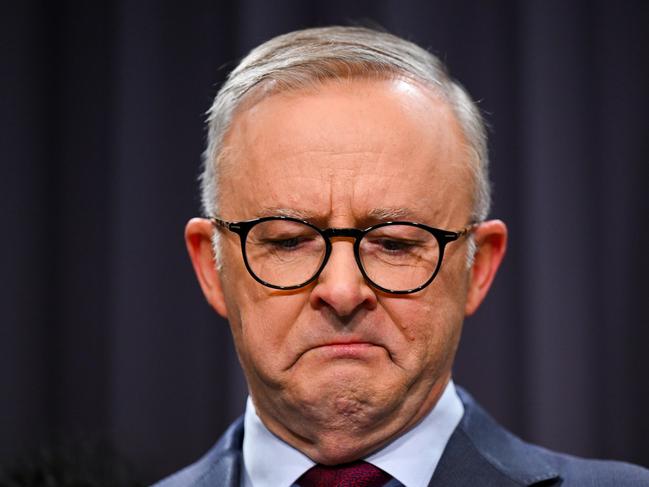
(395,257)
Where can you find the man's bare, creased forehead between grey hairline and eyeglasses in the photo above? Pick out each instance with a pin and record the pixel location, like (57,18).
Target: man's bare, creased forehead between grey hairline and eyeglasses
(346,147)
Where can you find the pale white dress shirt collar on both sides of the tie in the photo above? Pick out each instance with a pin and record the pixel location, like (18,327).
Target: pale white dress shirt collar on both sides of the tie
(411,458)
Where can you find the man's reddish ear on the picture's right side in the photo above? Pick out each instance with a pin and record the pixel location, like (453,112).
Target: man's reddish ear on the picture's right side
(491,241)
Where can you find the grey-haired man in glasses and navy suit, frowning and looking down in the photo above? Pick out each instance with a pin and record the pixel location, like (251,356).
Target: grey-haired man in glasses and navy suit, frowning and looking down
(346,192)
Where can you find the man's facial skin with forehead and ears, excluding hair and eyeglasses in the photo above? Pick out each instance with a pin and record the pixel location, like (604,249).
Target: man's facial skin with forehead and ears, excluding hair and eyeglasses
(338,369)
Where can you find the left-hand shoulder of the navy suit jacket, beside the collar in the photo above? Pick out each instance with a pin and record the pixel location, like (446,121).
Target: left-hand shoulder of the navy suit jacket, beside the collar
(219,466)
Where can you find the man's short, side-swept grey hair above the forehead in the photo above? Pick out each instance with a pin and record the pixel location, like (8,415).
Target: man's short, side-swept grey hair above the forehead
(304,58)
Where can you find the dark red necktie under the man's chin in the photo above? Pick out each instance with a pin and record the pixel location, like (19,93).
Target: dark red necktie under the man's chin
(356,474)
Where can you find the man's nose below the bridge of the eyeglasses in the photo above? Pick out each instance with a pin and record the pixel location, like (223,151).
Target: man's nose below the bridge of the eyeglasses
(341,286)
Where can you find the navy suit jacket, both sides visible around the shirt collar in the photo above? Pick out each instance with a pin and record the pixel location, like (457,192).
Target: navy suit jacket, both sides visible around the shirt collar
(479,453)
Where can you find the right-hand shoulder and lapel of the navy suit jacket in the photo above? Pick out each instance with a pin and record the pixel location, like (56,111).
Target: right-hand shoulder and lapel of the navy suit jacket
(504,459)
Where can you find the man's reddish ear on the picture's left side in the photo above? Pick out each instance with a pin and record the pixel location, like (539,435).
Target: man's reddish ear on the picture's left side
(198,238)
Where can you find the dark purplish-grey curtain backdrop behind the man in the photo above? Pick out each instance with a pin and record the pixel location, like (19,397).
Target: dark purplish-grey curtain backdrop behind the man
(104,332)
